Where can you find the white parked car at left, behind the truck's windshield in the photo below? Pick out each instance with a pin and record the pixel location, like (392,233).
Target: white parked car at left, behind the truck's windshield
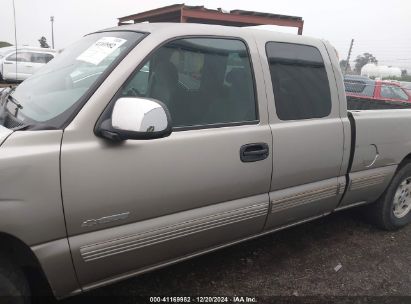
(18,67)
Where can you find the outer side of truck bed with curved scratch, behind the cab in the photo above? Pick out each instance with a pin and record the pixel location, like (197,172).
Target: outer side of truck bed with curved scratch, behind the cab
(380,140)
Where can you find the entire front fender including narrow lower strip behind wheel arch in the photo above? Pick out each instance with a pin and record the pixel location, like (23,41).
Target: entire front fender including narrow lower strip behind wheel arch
(31,207)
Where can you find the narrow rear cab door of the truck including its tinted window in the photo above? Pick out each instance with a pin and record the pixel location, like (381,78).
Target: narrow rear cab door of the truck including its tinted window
(308,135)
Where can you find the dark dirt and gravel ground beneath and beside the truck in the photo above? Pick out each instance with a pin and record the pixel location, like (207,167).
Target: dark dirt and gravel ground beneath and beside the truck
(298,261)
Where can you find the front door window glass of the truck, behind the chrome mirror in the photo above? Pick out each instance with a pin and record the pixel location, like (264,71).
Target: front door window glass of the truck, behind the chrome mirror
(202,81)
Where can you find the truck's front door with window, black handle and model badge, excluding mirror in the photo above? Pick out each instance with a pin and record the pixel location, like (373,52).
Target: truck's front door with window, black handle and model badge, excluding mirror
(133,205)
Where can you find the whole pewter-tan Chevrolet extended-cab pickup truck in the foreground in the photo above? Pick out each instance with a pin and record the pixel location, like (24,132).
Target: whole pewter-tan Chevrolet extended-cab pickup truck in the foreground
(144,145)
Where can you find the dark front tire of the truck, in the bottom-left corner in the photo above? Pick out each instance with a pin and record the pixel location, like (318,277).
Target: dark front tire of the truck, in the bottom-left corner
(14,288)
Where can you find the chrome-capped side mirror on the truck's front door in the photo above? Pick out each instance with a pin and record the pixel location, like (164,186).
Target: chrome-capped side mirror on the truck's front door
(136,118)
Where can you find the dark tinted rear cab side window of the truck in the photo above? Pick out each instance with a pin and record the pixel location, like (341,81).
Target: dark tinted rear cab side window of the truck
(299,79)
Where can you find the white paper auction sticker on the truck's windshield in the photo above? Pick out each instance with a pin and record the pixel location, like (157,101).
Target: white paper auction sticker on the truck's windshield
(101,49)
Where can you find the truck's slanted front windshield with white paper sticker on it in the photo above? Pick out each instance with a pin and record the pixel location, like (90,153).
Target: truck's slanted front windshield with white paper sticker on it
(52,94)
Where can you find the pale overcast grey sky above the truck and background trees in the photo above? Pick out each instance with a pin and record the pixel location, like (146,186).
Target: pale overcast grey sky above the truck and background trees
(382,28)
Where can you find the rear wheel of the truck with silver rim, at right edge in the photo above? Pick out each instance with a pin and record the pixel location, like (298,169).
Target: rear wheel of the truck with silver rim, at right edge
(392,210)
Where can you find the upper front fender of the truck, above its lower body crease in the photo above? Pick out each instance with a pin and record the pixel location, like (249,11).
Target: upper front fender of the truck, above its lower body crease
(30,195)
